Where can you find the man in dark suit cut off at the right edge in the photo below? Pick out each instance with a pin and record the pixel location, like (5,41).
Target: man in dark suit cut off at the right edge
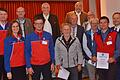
(116,27)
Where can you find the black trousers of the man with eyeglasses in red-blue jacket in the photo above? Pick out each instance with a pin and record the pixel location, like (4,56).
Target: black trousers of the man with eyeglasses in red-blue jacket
(44,69)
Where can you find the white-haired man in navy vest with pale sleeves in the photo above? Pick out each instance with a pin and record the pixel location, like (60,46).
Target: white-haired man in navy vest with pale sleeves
(88,45)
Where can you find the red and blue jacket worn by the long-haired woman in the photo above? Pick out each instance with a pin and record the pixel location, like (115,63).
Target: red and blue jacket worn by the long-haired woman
(13,53)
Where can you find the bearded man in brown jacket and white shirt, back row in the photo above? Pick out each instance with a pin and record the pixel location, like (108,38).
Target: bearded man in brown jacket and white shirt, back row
(82,16)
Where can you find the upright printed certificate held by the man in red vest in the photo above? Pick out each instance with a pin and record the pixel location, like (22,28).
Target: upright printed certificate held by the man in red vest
(102,60)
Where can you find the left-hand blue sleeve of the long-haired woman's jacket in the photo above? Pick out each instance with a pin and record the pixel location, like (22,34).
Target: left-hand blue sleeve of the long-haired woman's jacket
(7,55)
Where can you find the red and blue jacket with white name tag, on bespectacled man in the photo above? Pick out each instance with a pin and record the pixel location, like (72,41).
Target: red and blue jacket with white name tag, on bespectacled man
(39,50)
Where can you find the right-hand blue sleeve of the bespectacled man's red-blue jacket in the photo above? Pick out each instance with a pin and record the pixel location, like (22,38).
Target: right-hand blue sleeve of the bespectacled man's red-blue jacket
(51,49)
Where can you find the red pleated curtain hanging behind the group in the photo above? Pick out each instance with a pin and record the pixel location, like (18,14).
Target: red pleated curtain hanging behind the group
(59,8)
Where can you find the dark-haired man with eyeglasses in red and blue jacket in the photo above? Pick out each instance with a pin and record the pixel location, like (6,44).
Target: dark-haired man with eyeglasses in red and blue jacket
(39,49)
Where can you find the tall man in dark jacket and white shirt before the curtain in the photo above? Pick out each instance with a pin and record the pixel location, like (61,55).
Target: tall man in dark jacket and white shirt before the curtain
(51,21)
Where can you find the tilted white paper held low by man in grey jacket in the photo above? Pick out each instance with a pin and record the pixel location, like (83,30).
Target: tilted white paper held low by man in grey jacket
(63,73)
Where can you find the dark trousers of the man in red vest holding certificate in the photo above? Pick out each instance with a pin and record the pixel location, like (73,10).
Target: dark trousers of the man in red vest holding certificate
(107,74)
